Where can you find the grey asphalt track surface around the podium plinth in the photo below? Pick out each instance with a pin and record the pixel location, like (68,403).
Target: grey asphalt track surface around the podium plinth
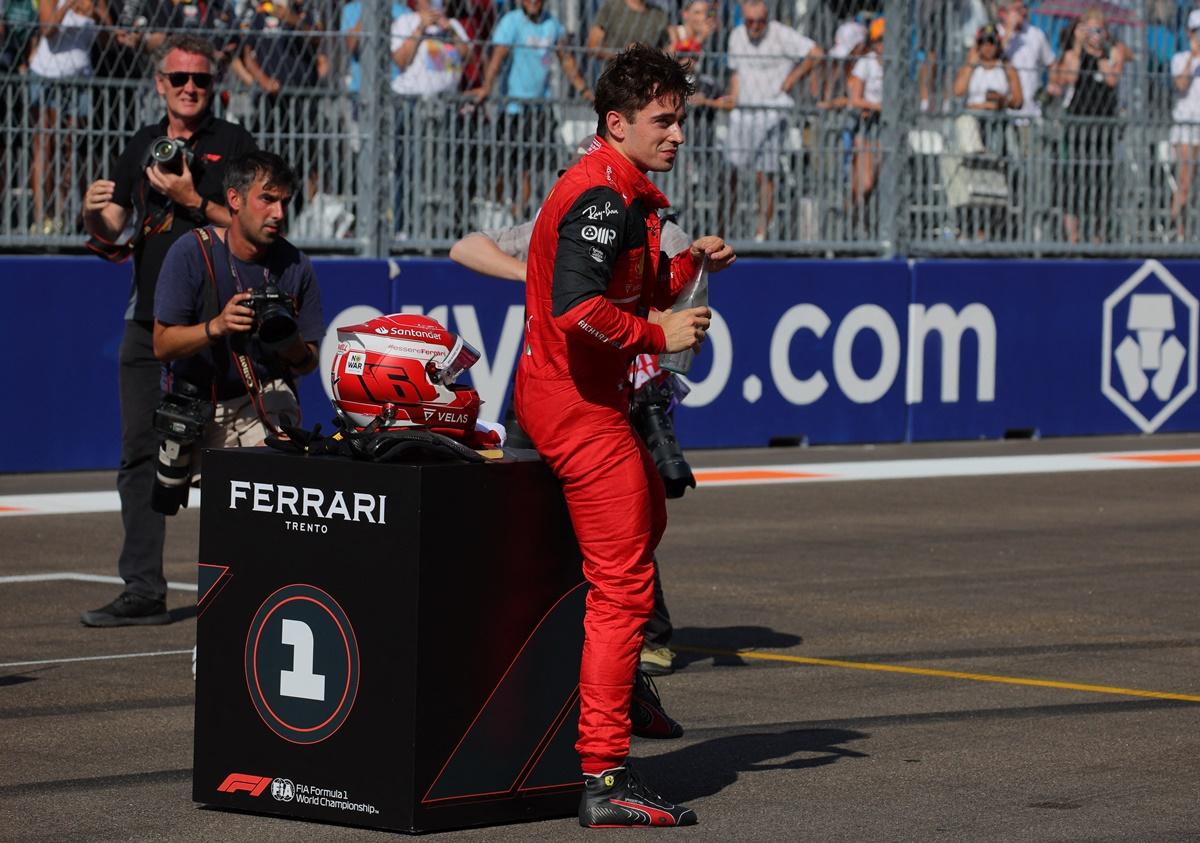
(1029,608)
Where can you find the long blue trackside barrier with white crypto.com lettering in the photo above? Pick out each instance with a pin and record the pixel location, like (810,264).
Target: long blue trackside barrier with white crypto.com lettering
(817,351)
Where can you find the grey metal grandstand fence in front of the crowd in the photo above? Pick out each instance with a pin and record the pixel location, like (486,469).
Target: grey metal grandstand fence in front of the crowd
(400,148)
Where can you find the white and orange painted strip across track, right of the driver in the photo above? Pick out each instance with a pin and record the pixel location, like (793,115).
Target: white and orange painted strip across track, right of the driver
(969,467)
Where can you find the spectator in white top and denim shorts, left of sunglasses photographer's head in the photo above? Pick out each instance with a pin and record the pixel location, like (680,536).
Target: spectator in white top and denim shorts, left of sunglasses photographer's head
(62,57)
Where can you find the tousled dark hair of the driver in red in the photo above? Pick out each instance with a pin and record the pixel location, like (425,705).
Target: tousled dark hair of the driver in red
(635,77)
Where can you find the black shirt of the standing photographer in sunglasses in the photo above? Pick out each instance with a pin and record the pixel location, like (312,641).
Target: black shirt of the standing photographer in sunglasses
(213,145)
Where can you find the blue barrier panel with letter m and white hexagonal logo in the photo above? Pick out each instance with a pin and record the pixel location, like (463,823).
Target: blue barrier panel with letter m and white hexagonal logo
(1066,349)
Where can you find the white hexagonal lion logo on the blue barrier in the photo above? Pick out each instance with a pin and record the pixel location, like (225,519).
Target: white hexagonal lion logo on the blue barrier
(1151,334)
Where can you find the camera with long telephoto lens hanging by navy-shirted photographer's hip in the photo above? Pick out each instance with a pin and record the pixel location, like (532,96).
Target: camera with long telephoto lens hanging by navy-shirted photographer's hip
(181,421)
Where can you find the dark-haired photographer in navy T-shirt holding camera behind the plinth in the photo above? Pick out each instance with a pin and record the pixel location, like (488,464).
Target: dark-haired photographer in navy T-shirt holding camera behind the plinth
(238,313)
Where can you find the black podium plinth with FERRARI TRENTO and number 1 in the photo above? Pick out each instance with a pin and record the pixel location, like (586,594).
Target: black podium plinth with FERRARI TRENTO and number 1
(394,647)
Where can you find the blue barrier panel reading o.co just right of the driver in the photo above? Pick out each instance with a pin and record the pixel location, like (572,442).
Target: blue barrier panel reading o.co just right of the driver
(801,349)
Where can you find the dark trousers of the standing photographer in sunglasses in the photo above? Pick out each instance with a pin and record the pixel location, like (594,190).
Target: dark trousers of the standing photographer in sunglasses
(141,391)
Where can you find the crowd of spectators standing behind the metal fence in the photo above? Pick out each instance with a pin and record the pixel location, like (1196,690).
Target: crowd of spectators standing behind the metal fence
(997,68)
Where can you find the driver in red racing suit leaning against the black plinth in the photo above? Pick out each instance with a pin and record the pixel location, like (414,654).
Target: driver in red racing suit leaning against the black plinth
(595,273)
